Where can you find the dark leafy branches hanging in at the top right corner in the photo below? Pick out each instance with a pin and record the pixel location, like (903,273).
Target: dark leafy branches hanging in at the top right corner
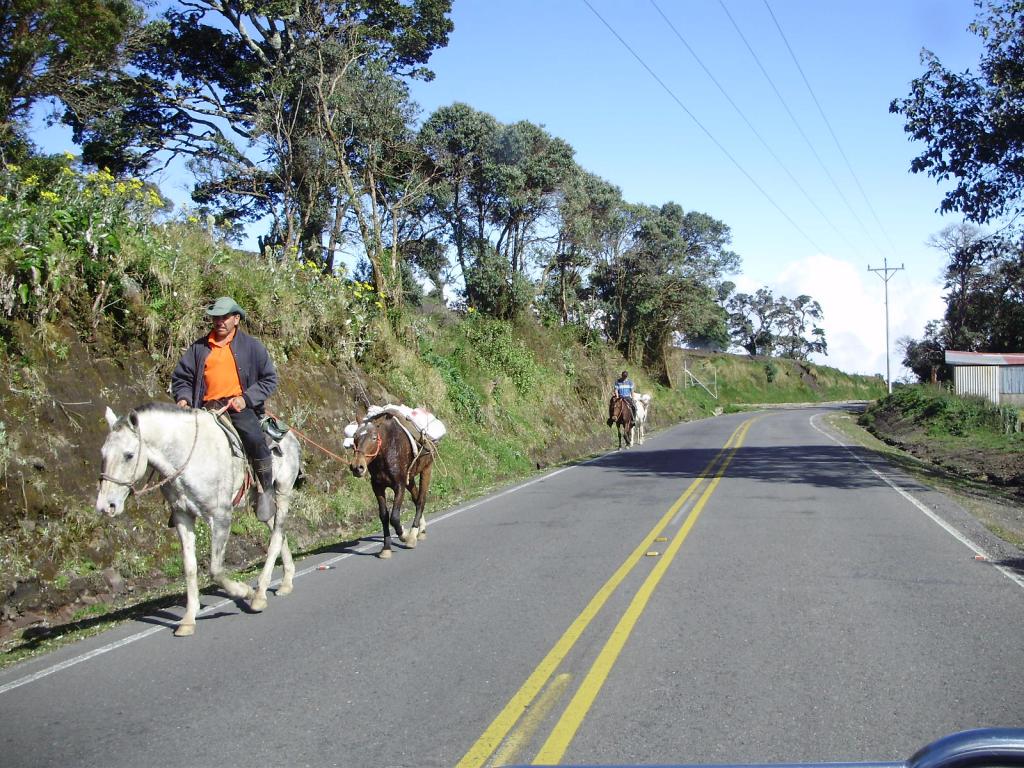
(973,125)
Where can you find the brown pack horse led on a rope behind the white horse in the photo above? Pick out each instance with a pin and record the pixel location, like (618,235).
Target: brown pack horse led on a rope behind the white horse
(382,449)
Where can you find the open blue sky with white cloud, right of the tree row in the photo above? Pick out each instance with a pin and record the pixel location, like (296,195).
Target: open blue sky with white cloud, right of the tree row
(556,63)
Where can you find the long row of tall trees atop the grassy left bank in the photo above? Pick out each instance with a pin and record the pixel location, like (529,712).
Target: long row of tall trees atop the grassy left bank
(300,115)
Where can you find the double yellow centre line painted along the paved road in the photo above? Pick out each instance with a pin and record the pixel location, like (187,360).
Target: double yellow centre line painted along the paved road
(572,718)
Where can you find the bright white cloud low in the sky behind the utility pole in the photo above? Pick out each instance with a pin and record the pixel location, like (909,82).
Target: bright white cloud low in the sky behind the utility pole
(854,303)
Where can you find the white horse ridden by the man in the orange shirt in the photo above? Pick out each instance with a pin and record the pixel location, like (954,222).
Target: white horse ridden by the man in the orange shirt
(201,479)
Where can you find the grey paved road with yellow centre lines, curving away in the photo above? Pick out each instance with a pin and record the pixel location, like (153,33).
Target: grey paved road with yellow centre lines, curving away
(741,589)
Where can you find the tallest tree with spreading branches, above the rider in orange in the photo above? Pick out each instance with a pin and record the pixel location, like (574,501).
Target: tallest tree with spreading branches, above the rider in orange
(249,91)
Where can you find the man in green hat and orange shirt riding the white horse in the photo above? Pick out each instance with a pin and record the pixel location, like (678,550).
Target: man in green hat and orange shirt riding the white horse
(229,369)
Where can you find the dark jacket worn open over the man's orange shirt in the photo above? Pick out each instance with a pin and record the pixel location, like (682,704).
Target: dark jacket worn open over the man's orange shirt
(257,373)
